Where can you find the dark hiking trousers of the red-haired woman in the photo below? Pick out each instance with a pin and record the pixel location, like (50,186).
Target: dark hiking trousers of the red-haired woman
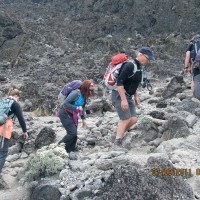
(70,139)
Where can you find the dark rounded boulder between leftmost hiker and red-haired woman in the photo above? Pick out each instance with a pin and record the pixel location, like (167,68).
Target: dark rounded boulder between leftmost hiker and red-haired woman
(45,137)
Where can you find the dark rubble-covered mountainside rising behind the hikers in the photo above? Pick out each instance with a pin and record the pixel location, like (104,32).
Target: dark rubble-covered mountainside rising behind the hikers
(64,40)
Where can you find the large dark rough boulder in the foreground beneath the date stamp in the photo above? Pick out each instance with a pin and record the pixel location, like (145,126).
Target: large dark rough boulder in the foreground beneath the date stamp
(128,182)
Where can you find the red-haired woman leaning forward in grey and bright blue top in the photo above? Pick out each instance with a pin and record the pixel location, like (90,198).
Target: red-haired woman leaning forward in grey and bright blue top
(72,107)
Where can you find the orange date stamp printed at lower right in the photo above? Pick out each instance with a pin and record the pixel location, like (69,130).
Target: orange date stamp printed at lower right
(156,171)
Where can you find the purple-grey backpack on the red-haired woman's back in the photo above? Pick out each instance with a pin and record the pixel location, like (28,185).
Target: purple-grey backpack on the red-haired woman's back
(67,89)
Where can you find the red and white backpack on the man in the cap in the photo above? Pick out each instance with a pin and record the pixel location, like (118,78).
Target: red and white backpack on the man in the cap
(113,69)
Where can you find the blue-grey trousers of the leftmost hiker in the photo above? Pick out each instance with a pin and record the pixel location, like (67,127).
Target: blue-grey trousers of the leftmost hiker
(3,151)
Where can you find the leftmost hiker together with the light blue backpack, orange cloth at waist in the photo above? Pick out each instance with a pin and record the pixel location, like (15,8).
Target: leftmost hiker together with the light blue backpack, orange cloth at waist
(9,109)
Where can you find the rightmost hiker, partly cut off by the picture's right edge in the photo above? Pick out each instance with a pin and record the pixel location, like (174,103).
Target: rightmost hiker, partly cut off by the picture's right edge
(192,64)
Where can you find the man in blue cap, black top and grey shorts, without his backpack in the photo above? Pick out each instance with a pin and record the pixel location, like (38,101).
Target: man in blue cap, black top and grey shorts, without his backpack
(127,85)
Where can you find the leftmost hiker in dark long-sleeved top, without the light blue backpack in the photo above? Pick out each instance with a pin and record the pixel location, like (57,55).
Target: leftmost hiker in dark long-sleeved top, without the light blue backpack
(6,129)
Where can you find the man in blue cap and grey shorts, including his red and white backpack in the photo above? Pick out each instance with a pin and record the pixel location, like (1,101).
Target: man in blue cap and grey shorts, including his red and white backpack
(124,86)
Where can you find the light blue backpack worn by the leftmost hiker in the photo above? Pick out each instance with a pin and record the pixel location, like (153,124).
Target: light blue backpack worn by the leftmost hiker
(5,104)
